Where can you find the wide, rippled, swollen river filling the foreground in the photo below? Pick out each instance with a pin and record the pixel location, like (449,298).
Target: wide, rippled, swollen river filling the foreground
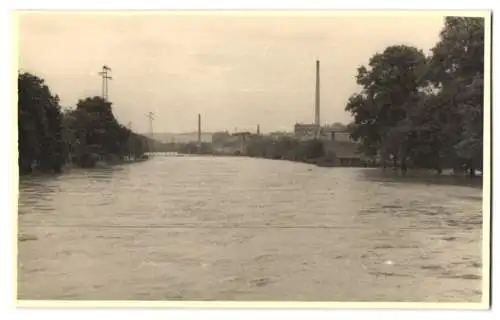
(203,228)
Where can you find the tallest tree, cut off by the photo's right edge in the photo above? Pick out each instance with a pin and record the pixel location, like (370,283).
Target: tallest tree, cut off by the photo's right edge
(457,66)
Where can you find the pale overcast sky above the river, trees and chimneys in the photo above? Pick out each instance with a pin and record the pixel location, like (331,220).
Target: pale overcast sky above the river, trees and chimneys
(236,70)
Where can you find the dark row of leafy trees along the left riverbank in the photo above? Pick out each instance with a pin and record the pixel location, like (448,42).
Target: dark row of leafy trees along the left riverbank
(50,137)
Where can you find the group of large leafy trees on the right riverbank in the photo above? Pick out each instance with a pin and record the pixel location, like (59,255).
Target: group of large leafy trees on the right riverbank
(424,111)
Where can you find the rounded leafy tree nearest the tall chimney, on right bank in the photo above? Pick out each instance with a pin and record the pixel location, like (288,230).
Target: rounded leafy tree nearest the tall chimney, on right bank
(390,81)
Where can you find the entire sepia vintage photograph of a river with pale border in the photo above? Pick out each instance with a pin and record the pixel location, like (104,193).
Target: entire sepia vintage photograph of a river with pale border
(253,156)
